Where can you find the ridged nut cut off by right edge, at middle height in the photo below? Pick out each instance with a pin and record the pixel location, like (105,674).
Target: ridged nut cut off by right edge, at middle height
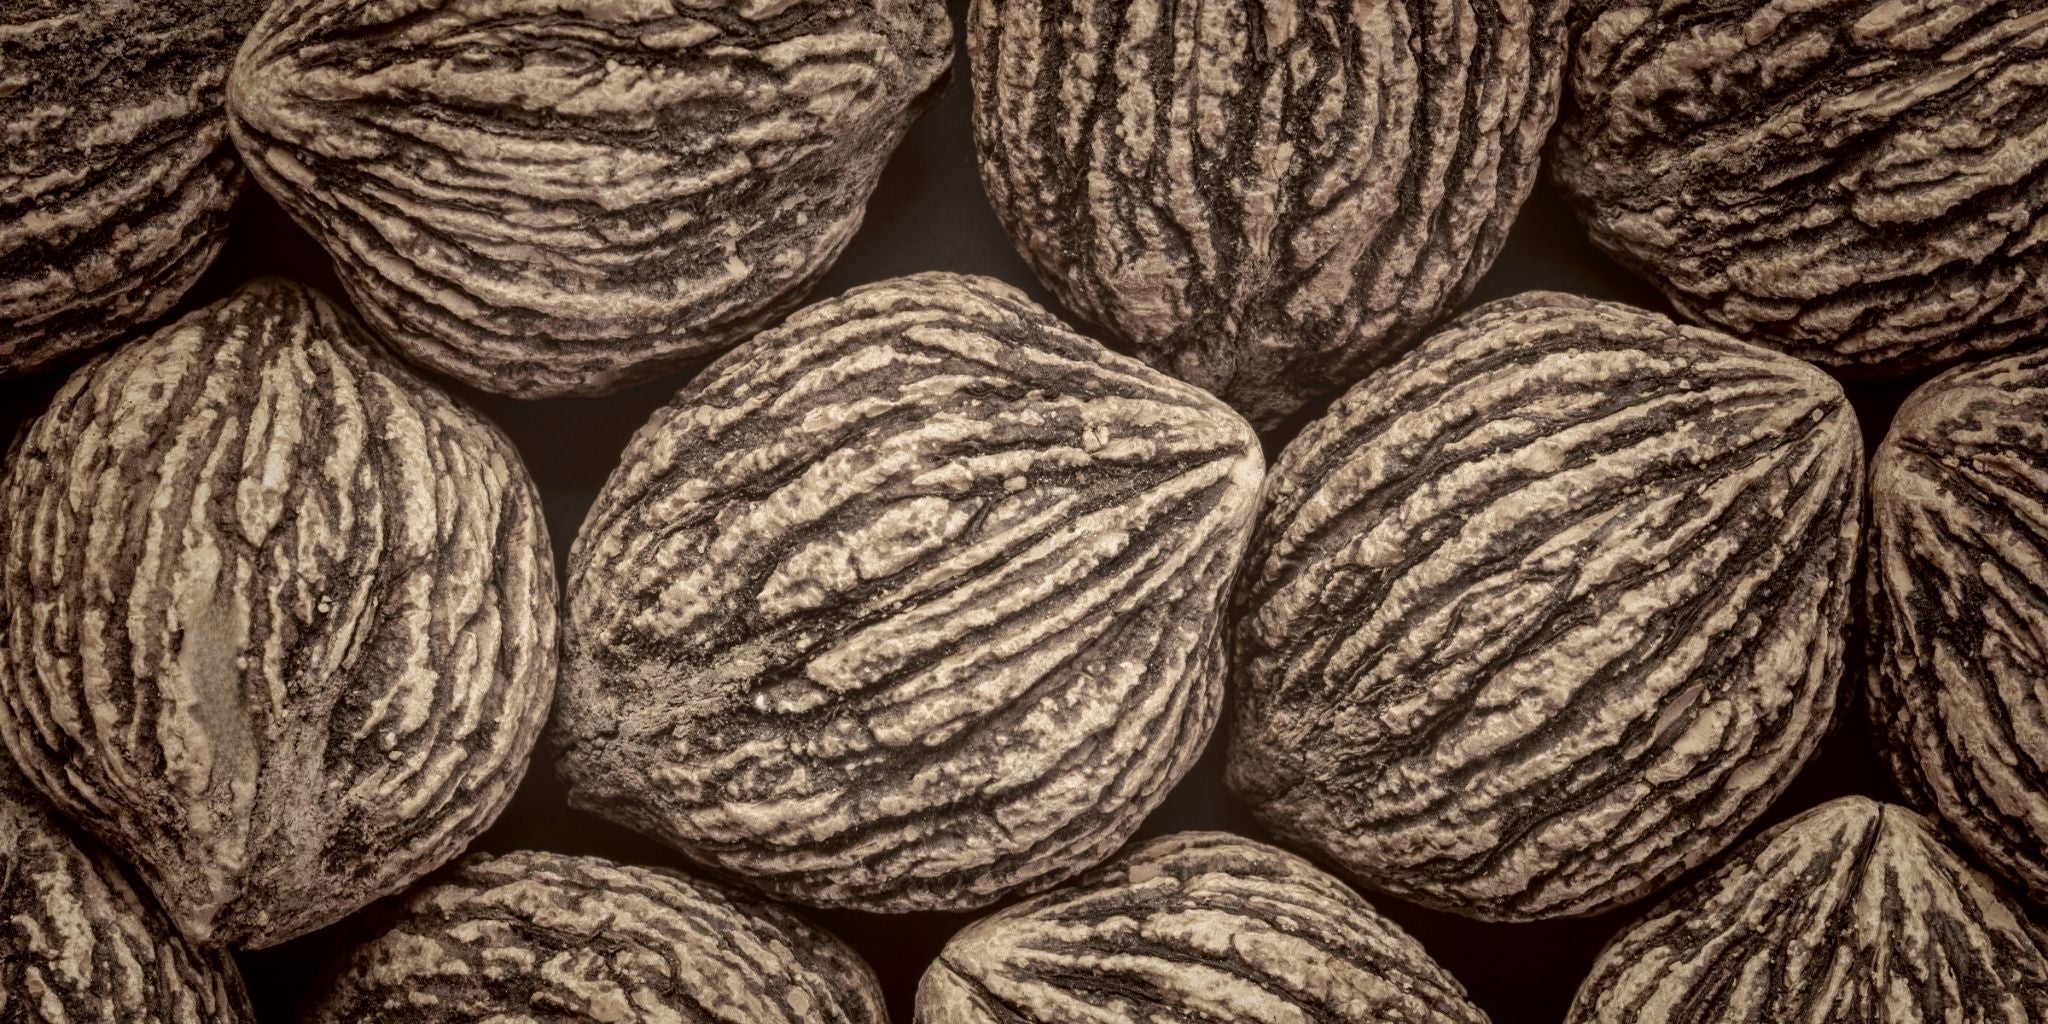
(1959,613)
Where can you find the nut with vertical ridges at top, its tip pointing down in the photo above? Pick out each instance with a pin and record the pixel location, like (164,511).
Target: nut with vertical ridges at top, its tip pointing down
(1265,200)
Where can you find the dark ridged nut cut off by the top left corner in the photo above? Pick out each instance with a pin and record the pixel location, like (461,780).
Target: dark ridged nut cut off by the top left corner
(116,171)
